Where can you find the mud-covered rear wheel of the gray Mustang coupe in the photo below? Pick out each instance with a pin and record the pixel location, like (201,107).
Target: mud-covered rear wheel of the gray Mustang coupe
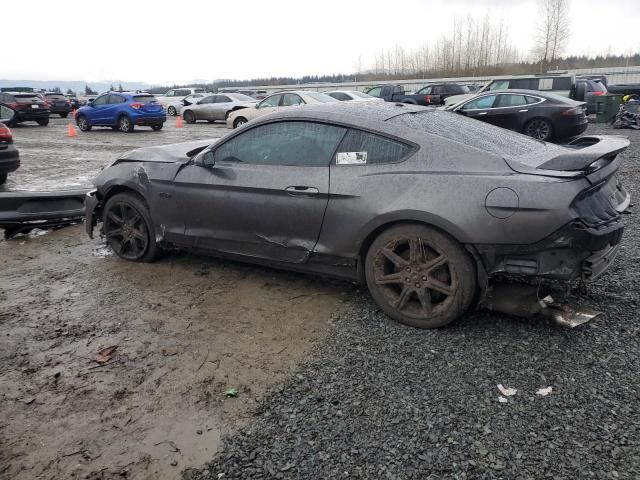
(420,276)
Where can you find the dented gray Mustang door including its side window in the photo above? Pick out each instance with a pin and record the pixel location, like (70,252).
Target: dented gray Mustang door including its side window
(261,193)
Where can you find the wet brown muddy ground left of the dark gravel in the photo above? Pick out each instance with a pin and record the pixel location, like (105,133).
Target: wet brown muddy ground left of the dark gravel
(186,328)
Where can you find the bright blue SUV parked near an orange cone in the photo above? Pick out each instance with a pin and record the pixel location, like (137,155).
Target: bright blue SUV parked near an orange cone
(122,111)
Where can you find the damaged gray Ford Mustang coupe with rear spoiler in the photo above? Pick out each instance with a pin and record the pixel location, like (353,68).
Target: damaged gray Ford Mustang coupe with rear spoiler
(423,205)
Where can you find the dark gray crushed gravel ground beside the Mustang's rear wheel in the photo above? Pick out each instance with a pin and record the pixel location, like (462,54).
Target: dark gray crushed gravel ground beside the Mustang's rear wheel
(377,400)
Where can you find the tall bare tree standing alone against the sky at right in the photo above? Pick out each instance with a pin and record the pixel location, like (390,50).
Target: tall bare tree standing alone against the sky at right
(553,30)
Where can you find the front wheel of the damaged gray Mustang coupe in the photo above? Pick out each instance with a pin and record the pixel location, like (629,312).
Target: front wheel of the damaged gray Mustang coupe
(128,228)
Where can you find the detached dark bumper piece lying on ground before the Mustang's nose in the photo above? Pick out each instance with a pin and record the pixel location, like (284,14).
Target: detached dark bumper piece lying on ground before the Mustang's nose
(21,212)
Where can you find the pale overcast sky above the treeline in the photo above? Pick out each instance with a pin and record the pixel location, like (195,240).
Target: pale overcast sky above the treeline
(179,41)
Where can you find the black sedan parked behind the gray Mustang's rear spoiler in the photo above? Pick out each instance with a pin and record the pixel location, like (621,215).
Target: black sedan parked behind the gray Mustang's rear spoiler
(543,116)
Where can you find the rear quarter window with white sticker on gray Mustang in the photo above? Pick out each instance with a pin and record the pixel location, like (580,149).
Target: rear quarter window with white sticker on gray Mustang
(371,149)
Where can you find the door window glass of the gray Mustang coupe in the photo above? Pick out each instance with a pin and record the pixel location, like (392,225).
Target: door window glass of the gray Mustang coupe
(283,143)
